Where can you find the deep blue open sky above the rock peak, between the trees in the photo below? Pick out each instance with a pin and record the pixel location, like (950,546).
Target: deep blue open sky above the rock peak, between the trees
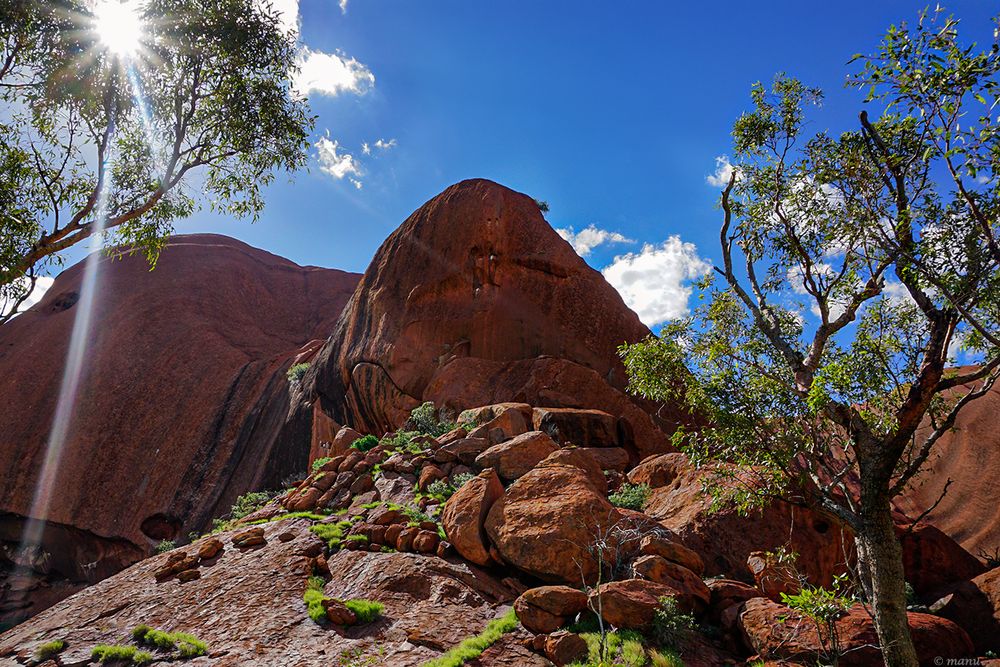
(612,113)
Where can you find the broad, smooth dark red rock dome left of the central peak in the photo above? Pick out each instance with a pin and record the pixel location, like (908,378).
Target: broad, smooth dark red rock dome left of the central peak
(183,396)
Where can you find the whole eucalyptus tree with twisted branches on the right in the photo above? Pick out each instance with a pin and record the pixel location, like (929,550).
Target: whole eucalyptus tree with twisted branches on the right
(854,267)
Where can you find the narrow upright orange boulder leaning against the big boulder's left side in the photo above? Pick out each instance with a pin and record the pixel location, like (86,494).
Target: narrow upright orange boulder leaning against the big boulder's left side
(465,513)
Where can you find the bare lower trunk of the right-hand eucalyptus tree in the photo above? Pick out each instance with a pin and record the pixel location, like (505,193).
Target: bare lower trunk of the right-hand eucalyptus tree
(882,562)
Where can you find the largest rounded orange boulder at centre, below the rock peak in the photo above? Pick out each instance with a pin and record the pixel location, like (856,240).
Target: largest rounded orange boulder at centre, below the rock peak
(547,520)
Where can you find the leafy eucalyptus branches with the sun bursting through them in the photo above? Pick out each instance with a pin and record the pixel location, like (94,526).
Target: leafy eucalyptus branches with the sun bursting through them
(136,112)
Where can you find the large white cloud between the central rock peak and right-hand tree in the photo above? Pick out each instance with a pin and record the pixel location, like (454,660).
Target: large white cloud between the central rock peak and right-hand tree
(652,281)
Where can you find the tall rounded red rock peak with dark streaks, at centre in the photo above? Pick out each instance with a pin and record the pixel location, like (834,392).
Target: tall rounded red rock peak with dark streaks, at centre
(475,293)
